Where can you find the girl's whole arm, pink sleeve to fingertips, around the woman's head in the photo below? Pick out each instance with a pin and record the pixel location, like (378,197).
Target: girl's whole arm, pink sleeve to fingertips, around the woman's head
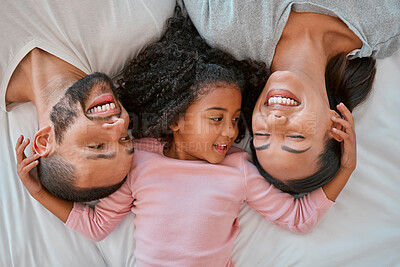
(303,214)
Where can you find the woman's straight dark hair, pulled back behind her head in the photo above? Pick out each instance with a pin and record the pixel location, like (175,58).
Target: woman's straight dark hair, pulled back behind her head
(349,82)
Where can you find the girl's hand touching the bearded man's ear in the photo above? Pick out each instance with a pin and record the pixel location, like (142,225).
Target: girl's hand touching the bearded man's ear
(26,167)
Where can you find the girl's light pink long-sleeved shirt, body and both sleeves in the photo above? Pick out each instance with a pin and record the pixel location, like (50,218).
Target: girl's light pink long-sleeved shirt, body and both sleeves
(186,212)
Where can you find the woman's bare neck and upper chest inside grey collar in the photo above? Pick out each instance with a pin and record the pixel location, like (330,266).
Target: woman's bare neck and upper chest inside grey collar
(310,40)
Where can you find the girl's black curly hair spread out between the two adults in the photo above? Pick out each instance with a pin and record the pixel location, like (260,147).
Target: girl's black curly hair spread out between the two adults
(169,75)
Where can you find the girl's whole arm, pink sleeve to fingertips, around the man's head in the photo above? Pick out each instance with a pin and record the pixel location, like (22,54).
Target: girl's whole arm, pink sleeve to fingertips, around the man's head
(95,223)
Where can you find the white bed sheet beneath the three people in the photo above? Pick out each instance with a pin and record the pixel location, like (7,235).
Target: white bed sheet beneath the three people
(362,229)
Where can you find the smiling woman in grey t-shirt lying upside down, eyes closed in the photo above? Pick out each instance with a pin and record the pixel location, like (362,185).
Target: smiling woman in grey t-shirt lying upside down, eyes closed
(320,53)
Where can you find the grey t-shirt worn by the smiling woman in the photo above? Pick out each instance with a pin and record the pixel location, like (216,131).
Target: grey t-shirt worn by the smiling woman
(252,28)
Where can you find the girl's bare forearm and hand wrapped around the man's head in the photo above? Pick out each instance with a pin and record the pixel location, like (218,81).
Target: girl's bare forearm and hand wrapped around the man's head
(26,168)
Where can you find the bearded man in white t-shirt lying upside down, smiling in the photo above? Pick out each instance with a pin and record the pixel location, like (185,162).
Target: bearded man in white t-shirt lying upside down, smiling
(49,51)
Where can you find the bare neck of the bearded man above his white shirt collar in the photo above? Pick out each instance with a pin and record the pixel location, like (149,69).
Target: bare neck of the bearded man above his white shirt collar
(41,78)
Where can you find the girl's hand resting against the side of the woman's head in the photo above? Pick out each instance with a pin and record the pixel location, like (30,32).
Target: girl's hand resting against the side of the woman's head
(348,135)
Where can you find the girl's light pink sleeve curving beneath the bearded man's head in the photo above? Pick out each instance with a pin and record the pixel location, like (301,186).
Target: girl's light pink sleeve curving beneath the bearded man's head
(96,223)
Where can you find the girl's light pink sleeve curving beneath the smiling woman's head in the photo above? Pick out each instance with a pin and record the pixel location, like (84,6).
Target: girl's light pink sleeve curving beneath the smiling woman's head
(297,215)
